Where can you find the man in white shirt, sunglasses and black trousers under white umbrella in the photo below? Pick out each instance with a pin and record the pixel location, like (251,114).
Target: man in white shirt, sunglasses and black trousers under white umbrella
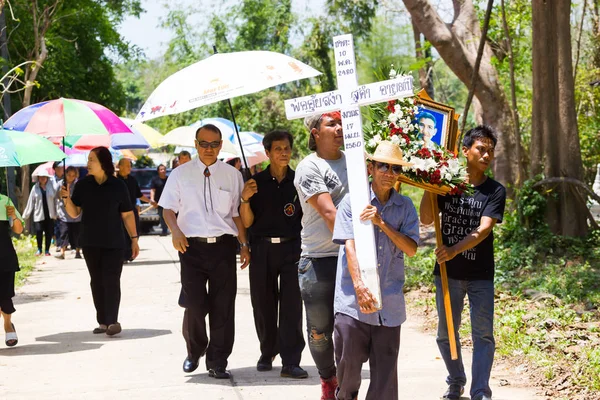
(205,193)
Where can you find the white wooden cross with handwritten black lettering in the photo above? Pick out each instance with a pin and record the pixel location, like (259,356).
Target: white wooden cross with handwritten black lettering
(348,98)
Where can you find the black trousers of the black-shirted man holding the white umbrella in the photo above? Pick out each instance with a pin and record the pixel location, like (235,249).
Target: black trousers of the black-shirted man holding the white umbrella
(275,295)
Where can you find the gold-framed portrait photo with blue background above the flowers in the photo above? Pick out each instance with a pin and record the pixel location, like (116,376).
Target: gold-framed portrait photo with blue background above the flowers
(435,122)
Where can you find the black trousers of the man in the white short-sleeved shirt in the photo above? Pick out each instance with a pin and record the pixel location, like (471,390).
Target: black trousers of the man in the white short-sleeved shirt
(209,285)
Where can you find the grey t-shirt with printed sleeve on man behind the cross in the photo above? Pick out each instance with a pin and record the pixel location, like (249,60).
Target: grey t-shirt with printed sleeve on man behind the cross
(316,175)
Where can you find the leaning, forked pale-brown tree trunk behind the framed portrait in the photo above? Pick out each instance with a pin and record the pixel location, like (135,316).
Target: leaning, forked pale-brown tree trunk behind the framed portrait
(457,45)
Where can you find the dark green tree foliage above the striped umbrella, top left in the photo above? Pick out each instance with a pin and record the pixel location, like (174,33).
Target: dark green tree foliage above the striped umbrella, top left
(83,44)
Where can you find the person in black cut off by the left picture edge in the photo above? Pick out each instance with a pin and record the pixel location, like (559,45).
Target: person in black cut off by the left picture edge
(9,265)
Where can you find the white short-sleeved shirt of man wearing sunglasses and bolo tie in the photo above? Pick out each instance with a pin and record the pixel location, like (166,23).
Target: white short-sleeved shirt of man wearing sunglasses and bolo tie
(206,205)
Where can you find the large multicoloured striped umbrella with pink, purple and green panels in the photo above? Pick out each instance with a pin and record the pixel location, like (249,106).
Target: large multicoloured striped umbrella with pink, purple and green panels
(61,118)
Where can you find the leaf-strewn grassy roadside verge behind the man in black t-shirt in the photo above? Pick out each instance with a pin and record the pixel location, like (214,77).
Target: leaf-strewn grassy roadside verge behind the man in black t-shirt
(553,333)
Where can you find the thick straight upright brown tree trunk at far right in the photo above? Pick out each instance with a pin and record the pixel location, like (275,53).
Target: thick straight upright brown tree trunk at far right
(555,149)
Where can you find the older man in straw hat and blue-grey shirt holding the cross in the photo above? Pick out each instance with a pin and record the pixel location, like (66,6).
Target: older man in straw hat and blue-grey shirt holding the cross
(362,331)
